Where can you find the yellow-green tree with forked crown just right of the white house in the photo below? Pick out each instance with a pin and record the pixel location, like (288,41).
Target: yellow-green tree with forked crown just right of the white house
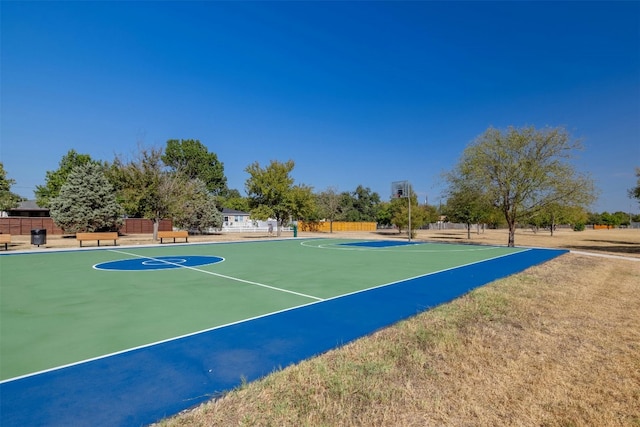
(271,193)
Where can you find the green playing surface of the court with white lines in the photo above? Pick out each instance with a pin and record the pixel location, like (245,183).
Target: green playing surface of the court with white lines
(57,309)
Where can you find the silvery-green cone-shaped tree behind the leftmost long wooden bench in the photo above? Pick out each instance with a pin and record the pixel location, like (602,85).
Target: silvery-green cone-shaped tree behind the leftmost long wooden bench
(86,202)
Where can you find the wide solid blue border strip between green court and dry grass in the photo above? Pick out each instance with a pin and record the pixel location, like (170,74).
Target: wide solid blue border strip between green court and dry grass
(142,386)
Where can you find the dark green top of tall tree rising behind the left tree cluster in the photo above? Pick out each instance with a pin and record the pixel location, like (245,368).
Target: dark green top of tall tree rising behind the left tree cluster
(192,158)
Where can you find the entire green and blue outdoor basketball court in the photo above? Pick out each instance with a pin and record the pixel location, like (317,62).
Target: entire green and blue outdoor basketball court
(129,335)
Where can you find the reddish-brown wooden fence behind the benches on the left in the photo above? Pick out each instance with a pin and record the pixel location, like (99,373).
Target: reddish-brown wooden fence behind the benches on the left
(23,226)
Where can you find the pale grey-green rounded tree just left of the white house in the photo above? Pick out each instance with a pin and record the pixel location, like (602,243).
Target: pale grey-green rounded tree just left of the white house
(196,209)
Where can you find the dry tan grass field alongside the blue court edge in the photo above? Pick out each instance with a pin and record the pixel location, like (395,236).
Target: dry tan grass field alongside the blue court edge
(556,345)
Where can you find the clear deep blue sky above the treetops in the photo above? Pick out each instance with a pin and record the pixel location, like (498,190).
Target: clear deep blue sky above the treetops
(356,93)
